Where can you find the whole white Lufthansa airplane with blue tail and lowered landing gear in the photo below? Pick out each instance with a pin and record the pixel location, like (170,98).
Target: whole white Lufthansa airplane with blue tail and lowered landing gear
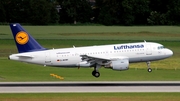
(115,56)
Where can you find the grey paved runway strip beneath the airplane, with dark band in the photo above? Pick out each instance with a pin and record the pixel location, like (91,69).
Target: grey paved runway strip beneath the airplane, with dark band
(97,86)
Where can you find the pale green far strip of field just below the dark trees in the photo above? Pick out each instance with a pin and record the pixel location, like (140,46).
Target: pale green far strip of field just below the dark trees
(99,32)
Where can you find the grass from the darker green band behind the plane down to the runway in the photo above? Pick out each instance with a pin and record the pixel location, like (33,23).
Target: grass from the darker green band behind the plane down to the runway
(168,69)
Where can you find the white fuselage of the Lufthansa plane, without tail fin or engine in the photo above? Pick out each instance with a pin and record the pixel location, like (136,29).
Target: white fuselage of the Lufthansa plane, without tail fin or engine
(71,57)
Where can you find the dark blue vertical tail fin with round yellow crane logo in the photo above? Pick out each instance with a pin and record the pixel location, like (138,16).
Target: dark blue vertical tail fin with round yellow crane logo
(24,41)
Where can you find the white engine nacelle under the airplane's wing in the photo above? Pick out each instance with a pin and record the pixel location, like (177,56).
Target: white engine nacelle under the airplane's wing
(122,64)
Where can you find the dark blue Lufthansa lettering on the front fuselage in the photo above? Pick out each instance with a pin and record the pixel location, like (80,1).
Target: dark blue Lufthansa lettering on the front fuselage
(128,47)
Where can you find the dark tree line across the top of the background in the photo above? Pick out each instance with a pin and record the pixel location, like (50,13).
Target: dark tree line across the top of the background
(106,12)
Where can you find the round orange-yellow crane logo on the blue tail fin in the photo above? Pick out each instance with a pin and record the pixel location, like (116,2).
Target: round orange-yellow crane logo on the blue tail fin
(22,38)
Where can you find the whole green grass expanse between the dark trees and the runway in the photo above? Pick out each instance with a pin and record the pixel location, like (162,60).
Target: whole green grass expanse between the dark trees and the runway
(67,36)
